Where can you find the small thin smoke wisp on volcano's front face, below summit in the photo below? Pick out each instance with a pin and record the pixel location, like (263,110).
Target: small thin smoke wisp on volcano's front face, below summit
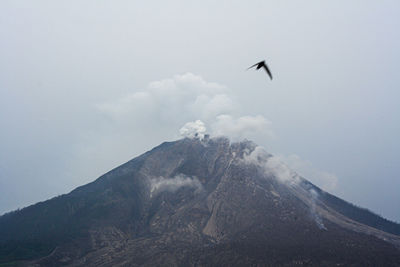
(162,184)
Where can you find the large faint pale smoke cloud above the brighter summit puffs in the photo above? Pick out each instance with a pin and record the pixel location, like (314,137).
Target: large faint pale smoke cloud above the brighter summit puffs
(183,98)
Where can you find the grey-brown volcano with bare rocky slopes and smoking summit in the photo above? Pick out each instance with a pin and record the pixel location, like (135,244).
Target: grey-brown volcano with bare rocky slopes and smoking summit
(197,202)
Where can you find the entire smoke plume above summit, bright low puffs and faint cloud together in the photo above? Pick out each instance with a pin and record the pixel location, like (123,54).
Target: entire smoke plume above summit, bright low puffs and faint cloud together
(185,102)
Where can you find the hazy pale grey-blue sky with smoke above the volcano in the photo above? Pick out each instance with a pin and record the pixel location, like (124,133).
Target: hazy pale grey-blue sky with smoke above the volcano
(88,85)
